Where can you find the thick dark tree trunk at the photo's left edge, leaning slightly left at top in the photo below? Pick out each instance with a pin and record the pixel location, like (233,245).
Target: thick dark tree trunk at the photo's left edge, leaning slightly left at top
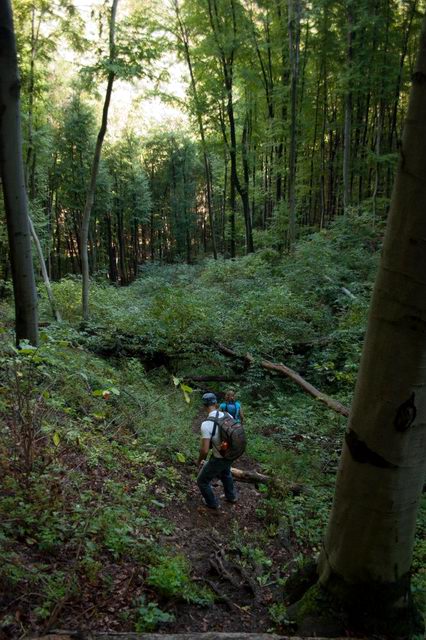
(13,182)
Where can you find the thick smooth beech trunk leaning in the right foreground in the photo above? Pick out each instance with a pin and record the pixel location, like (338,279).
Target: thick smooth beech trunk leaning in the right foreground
(366,557)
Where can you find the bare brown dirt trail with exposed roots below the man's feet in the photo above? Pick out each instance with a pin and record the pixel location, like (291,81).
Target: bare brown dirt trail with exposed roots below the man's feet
(213,542)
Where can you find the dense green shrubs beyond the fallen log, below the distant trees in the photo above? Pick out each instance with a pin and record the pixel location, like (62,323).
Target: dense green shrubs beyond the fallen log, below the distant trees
(269,309)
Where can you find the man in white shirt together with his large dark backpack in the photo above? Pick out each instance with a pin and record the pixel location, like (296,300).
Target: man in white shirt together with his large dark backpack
(225,437)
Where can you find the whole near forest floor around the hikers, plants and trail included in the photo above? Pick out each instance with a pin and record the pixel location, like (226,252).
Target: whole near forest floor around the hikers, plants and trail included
(107,530)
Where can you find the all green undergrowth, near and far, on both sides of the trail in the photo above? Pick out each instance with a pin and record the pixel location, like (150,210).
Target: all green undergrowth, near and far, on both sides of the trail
(96,427)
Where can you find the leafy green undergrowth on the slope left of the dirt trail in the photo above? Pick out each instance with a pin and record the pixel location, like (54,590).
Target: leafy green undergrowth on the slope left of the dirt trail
(73,510)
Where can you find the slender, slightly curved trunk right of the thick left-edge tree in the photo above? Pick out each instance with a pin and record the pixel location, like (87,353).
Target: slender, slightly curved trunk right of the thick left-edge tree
(95,169)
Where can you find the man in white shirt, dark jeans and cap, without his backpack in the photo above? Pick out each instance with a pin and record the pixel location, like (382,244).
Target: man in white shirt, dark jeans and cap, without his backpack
(217,466)
